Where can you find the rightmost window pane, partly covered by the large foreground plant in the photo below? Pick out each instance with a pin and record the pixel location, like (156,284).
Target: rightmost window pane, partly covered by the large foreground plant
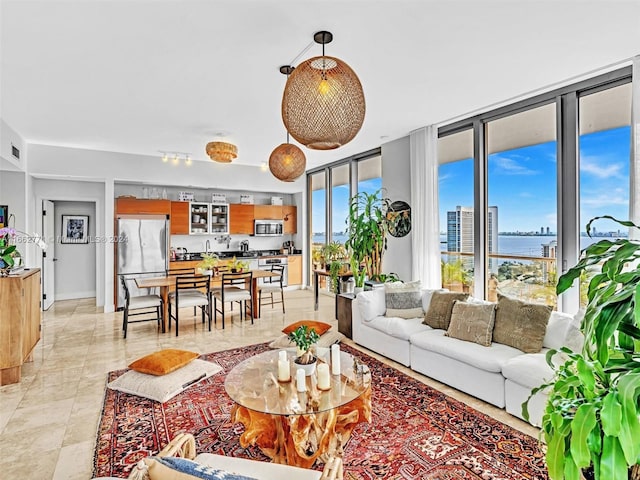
(605,144)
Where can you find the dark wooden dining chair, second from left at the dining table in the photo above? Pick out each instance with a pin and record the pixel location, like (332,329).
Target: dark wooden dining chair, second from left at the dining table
(191,291)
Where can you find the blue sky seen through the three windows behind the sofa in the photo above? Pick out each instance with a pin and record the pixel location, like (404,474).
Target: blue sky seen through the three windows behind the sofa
(522,183)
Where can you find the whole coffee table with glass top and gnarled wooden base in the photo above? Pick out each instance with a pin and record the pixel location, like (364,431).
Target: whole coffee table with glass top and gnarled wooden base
(297,428)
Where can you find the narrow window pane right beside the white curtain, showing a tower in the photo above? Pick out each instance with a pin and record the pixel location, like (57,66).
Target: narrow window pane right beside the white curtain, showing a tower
(456,199)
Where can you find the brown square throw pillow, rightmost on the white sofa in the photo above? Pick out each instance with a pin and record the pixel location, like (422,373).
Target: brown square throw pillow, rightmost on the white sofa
(520,324)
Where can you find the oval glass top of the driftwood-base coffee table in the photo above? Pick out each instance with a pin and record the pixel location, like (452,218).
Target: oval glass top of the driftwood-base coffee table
(254,384)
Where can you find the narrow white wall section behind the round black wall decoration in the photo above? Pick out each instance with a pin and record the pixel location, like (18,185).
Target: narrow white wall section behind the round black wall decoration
(397,182)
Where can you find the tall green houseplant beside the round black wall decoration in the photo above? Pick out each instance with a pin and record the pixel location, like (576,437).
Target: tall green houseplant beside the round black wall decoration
(367,229)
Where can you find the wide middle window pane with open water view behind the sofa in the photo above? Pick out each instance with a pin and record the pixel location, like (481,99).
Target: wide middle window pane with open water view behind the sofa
(521,215)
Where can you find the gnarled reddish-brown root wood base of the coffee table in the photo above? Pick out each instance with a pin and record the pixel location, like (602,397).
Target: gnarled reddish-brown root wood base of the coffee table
(299,440)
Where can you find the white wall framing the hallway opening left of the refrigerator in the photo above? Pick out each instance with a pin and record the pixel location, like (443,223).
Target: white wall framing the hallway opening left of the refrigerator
(93,192)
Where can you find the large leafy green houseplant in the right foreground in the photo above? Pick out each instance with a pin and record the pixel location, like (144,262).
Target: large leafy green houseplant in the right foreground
(591,421)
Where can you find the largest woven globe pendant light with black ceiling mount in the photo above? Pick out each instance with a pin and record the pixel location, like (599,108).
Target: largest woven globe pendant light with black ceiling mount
(323,103)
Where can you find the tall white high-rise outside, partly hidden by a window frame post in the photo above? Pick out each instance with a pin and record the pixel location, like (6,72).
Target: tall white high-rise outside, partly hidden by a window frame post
(460,233)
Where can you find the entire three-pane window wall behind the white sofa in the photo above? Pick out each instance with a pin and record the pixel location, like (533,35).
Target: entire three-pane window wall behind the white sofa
(541,169)
